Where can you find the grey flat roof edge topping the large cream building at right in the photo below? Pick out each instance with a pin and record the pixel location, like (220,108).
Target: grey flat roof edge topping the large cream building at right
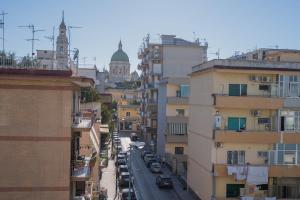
(246,65)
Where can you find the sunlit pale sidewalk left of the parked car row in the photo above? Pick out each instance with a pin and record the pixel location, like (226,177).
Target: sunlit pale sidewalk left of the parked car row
(108,179)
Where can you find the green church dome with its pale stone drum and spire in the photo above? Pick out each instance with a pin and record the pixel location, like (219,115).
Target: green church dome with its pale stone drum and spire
(119,66)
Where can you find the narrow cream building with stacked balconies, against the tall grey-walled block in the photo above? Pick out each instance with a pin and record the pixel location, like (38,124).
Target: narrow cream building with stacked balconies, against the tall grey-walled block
(173,112)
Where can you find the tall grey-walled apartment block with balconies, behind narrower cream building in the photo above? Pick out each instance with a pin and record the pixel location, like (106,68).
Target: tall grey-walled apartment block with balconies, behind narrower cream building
(169,57)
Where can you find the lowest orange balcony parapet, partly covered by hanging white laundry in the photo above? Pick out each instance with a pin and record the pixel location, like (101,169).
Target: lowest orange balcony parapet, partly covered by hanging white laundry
(220,170)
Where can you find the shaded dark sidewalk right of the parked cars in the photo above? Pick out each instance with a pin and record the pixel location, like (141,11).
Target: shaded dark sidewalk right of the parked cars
(178,187)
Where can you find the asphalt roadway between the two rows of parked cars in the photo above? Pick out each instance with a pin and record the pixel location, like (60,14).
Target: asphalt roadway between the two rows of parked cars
(144,180)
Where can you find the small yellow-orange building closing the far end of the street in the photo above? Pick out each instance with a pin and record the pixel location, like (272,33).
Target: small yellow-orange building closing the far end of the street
(128,115)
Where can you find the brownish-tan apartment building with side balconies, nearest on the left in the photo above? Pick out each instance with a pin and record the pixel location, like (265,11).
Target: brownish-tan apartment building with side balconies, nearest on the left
(48,148)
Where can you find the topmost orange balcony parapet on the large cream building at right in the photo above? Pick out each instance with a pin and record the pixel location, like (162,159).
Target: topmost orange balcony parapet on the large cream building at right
(247,102)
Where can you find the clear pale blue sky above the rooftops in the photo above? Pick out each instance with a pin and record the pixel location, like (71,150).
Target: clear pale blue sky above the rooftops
(228,25)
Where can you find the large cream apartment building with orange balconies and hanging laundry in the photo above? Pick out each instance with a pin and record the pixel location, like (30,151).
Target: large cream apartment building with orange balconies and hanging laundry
(244,129)
